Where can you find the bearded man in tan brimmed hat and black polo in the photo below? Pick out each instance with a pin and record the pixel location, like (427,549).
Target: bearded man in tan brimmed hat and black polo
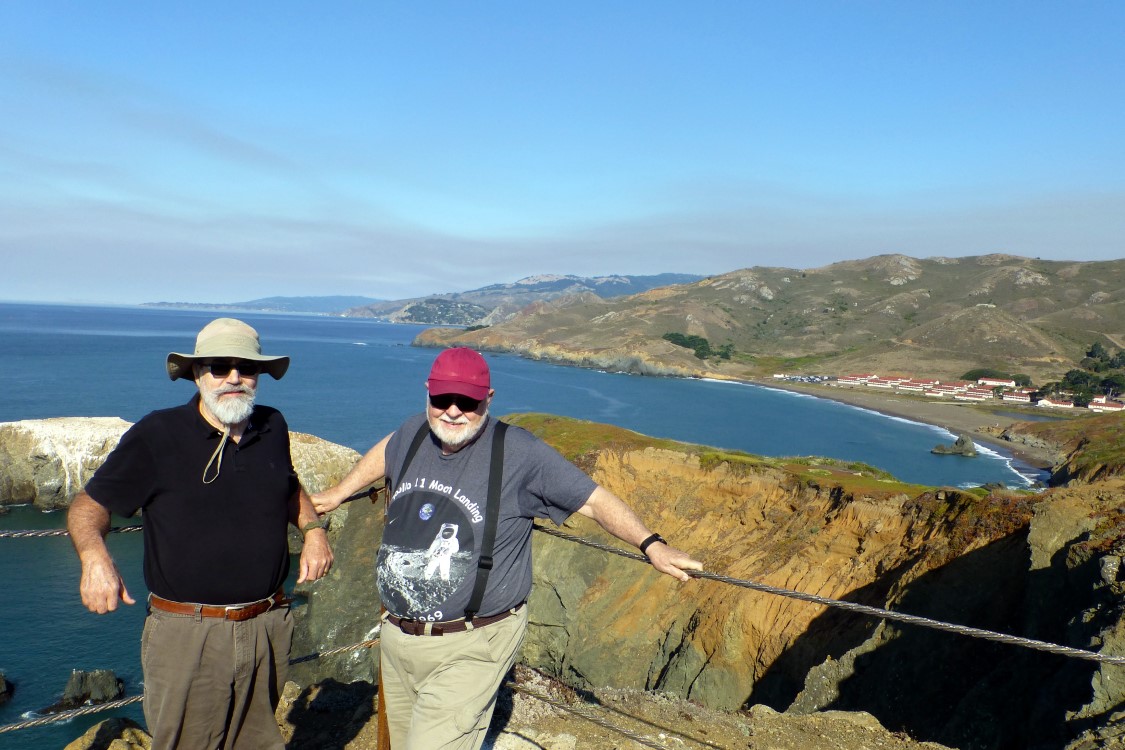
(217,485)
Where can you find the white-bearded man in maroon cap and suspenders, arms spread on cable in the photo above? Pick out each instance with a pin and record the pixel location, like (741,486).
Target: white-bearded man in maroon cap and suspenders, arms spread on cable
(456,555)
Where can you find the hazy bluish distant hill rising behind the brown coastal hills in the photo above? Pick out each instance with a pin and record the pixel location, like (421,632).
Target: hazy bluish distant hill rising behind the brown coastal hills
(498,303)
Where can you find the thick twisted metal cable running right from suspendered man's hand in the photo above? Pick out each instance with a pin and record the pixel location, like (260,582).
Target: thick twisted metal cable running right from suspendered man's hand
(862,609)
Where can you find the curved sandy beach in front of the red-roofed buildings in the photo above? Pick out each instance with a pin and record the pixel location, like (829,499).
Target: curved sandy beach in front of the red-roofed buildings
(982,424)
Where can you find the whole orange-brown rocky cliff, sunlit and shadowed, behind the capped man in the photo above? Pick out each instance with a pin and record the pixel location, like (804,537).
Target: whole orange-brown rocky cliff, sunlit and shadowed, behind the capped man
(1015,563)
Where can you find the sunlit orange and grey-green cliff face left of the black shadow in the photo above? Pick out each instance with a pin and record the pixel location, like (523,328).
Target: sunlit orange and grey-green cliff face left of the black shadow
(714,644)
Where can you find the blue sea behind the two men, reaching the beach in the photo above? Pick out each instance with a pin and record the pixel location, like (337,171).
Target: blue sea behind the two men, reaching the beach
(350,382)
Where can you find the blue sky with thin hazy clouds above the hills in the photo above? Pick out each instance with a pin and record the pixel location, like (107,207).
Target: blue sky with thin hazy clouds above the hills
(222,152)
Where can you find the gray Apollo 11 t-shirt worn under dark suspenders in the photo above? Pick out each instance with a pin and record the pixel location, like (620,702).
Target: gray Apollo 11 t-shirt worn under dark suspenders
(428,563)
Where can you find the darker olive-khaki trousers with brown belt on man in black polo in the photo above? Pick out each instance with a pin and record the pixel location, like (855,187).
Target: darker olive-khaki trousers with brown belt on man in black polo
(214,684)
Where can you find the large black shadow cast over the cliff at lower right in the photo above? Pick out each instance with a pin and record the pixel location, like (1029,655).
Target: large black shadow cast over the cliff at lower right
(961,691)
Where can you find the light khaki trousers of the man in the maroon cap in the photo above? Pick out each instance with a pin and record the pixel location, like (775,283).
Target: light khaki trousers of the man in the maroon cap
(440,691)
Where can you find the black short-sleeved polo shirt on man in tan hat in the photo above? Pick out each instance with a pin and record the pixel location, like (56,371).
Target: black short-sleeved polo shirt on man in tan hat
(218,544)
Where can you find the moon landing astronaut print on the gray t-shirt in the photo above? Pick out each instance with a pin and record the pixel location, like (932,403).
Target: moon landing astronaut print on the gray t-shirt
(427,556)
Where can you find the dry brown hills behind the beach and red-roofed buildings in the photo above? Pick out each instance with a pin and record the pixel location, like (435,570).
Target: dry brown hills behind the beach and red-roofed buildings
(892,314)
